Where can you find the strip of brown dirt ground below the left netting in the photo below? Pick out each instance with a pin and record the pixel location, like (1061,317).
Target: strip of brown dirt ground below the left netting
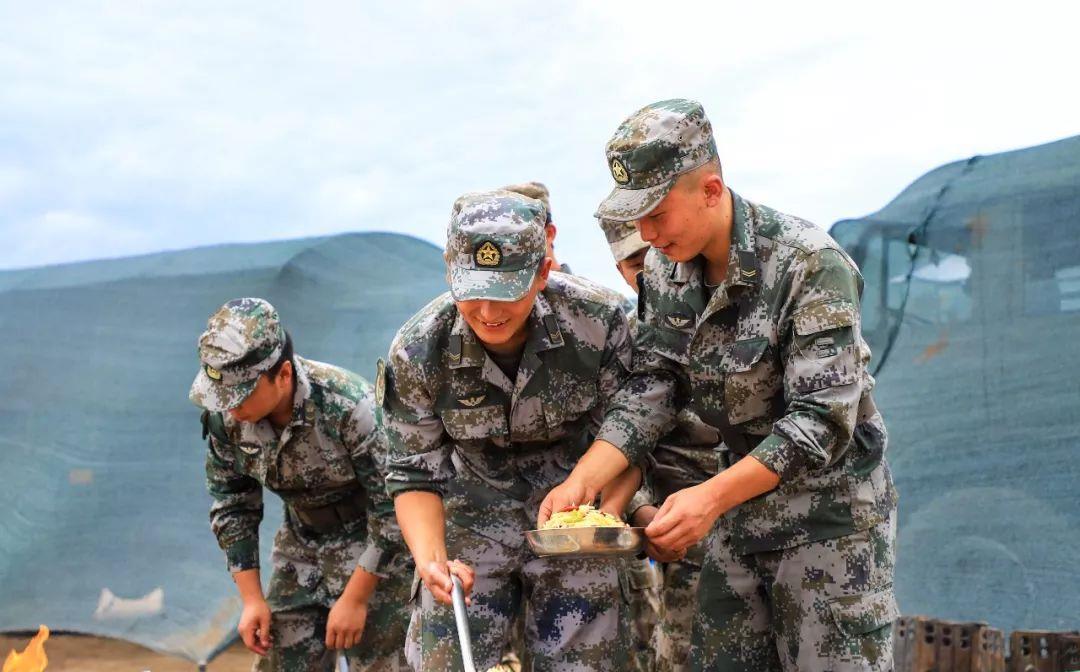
(69,653)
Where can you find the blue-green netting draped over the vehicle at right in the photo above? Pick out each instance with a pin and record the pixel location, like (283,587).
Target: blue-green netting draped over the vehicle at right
(973,308)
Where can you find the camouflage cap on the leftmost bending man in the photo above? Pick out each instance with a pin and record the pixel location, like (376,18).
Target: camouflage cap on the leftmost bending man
(242,341)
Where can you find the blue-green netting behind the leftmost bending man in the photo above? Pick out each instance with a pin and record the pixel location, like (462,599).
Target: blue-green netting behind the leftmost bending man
(104,509)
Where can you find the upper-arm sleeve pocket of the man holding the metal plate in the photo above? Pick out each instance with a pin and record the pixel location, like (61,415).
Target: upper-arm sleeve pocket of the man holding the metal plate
(825,353)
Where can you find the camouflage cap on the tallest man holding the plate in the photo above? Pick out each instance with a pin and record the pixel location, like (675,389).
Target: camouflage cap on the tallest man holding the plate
(649,153)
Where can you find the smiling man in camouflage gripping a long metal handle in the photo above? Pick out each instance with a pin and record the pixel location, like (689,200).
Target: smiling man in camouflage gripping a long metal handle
(492,393)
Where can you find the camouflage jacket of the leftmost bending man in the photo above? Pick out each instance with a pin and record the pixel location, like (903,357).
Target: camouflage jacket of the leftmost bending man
(332,448)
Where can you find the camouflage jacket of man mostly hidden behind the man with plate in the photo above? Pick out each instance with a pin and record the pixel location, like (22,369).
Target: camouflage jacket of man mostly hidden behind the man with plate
(687,455)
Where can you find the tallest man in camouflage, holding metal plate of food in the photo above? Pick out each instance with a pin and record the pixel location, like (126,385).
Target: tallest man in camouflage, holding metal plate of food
(753,316)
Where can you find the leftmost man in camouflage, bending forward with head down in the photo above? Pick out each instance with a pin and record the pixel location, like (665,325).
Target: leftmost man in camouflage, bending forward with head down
(310,434)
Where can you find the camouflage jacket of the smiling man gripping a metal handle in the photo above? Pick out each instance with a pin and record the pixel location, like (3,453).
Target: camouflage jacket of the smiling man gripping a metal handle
(491,447)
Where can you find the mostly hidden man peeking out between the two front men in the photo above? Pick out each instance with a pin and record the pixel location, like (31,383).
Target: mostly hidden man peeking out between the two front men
(685,458)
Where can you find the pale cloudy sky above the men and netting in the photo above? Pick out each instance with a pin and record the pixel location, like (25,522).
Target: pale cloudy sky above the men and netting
(129,128)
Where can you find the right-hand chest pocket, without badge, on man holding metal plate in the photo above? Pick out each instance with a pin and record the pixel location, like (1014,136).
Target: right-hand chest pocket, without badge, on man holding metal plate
(751,380)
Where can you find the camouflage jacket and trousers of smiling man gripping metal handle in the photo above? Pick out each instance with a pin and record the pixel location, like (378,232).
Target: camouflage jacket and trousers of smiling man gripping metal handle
(493,448)
